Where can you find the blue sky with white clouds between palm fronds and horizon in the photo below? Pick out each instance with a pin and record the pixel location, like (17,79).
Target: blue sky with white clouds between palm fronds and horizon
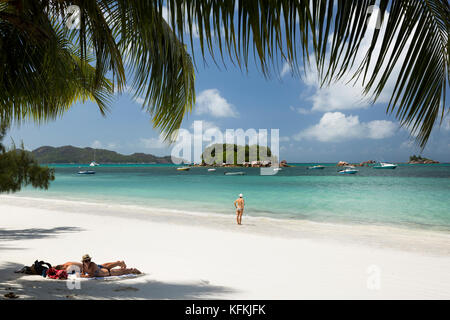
(315,124)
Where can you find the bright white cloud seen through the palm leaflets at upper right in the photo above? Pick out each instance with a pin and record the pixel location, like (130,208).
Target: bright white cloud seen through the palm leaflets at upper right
(346,94)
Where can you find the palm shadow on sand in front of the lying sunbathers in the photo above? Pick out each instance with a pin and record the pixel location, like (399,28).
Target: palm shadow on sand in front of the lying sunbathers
(36,287)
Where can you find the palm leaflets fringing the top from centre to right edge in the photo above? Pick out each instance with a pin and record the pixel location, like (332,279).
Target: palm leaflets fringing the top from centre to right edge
(333,30)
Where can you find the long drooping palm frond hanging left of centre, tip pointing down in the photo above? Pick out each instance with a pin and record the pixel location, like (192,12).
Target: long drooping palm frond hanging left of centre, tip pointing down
(162,70)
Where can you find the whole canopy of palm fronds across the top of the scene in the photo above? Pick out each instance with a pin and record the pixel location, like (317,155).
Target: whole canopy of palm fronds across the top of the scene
(140,45)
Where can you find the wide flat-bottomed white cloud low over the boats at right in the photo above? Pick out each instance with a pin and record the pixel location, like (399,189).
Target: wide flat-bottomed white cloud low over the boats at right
(336,126)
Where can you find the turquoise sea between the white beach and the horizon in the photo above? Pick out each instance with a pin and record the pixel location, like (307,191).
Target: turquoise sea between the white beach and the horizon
(409,196)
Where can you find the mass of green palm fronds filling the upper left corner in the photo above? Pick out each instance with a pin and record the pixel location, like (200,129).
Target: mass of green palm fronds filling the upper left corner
(46,67)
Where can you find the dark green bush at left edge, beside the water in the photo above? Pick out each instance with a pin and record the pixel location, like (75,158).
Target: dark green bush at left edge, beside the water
(19,168)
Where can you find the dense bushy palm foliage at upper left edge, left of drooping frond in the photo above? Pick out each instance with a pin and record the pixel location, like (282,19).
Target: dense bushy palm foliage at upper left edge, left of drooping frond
(41,78)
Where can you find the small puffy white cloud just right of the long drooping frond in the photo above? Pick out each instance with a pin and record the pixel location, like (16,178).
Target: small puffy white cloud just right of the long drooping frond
(211,102)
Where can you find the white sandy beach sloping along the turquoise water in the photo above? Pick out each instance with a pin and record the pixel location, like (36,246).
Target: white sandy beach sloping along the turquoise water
(207,257)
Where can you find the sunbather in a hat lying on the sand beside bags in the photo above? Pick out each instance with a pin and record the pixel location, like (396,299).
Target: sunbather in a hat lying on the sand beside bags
(89,269)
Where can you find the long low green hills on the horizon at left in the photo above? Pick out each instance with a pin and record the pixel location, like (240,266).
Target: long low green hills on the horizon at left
(70,154)
